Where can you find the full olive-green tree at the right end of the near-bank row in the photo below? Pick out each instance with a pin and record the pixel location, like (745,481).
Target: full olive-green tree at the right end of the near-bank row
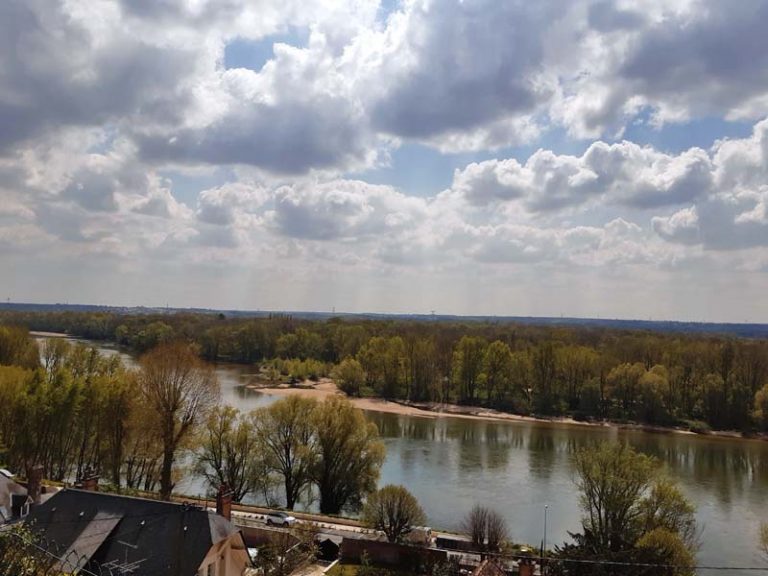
(349,455)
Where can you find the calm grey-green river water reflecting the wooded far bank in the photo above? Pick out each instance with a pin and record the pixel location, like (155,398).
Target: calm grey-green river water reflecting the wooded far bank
(518,468)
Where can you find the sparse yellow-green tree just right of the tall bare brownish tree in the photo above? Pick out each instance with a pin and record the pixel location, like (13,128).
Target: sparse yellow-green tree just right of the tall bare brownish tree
(229,453)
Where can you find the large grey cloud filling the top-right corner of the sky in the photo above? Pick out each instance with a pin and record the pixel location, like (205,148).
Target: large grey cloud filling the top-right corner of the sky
(677,60)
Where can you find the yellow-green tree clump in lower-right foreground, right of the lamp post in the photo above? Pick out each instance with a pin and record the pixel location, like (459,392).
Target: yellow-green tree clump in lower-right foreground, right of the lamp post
(630,516)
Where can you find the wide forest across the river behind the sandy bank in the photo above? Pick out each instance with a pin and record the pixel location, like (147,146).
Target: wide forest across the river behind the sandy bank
(589,373)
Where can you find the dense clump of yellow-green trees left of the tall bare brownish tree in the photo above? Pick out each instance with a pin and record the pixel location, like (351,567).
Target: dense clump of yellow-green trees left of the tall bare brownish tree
(70,409)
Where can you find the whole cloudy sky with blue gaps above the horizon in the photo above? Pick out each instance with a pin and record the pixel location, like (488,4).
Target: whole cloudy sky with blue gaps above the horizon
(584,158)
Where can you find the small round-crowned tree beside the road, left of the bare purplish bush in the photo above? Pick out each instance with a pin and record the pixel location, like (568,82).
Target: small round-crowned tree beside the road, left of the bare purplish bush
(393,510)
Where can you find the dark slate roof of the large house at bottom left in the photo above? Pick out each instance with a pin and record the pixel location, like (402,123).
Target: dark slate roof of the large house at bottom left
(162,538)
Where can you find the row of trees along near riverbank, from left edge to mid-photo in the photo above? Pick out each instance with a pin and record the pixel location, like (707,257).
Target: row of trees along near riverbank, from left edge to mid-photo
(75,412)
